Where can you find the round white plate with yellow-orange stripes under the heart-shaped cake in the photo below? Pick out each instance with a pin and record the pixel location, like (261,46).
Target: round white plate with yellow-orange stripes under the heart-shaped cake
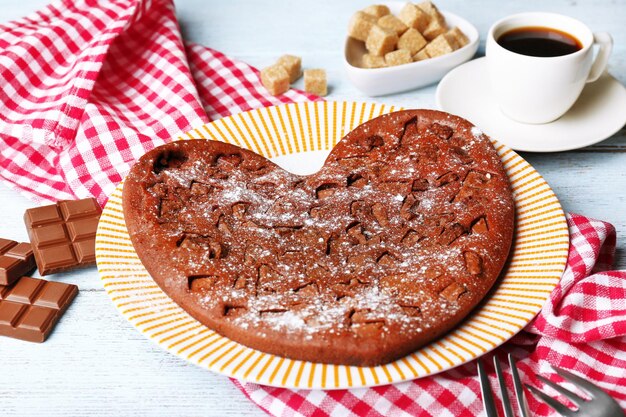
(299,136)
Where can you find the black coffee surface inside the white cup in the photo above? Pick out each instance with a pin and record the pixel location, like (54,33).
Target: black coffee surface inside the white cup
(539,41)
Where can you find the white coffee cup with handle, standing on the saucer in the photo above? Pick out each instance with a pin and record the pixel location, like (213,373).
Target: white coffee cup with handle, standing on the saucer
(533,89)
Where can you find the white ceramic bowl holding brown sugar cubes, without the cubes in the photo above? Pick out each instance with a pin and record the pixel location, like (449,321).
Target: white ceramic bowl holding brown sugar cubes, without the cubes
(381,81)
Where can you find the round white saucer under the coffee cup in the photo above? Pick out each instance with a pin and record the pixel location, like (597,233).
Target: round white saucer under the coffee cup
(598,113)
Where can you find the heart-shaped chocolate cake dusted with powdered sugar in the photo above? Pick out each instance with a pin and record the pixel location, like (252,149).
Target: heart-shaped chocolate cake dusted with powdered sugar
(399,235)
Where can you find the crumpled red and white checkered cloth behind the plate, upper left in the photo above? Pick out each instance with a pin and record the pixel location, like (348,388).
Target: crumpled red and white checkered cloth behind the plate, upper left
(87,87)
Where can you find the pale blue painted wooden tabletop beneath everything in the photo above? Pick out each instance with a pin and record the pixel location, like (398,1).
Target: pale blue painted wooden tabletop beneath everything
(96,364)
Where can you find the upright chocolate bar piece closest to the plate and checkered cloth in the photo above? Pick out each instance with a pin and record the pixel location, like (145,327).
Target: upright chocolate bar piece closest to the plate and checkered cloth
(63,235)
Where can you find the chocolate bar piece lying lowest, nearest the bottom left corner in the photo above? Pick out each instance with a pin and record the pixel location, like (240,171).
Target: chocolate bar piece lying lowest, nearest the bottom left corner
(30,308)
